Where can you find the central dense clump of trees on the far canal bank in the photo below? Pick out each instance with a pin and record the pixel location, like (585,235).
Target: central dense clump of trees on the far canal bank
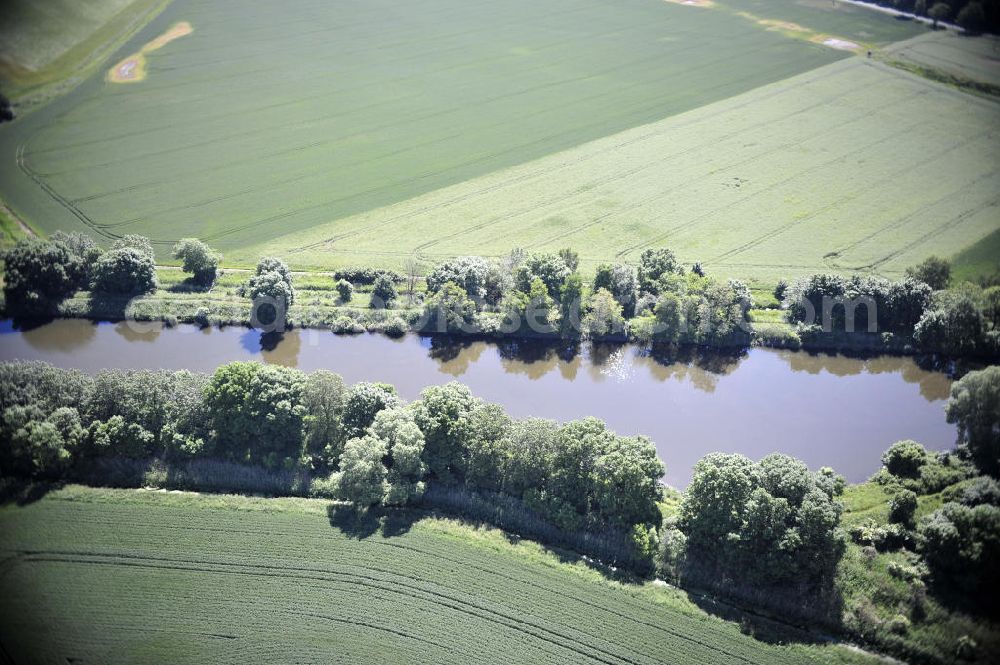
(545,293)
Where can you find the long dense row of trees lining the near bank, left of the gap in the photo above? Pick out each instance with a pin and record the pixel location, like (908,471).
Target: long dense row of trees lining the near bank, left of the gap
(370,445)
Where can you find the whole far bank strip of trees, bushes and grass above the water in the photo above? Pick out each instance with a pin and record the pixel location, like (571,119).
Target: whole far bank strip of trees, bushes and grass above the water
(657,301)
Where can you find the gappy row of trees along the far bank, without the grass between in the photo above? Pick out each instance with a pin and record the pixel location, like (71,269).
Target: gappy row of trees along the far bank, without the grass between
(656,300)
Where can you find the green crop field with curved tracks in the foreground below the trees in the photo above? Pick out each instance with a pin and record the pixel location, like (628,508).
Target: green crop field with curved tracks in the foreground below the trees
(123,576)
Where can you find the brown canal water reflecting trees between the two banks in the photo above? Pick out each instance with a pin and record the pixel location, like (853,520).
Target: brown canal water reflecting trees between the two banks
(829,410)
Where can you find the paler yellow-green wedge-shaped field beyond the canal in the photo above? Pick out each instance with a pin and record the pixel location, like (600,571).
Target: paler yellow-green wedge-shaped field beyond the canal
(853,166)
